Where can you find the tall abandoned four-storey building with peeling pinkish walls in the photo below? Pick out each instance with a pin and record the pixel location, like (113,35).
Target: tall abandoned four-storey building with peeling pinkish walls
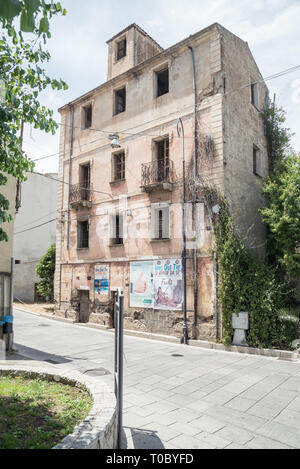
(121,167)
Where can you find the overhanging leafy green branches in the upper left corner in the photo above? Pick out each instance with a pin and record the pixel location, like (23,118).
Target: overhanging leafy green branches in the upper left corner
(22,78)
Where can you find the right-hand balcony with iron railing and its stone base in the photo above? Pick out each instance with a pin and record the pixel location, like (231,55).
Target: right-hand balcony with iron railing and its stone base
(157,174)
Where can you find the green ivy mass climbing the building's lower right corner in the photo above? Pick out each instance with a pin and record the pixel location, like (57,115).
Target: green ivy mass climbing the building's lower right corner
(248,284)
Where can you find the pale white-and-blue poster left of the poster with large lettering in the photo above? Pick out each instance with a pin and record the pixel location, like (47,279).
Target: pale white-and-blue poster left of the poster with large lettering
(141,284)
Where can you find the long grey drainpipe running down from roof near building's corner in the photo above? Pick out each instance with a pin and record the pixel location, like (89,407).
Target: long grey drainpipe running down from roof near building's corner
(195,195)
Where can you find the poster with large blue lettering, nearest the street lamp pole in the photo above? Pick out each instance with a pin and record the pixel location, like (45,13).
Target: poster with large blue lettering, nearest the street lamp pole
(168,284)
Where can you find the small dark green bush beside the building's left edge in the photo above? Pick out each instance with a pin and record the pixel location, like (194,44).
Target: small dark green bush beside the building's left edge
(45,270)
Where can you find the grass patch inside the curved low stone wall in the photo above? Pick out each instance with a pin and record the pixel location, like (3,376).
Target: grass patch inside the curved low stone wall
(38,414)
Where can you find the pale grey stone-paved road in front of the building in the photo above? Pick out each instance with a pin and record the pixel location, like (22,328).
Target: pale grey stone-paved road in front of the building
(176,396)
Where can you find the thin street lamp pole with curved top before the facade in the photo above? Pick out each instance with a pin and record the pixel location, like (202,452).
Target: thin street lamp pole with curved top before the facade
(180,132)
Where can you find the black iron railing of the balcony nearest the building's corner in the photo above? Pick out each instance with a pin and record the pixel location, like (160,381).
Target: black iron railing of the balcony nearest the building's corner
(157,172)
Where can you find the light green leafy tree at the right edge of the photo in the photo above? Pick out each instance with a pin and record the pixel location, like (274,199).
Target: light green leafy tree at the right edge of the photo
(282,214)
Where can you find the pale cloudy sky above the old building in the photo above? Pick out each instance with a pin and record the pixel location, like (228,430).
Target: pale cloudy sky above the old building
(79,51)
